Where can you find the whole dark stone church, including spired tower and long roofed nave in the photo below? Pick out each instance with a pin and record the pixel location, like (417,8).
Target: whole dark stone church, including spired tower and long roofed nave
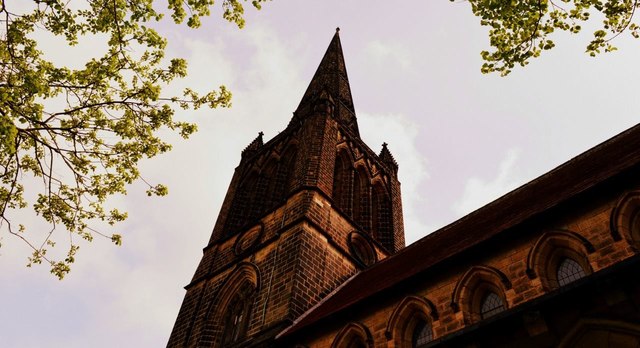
(308,249)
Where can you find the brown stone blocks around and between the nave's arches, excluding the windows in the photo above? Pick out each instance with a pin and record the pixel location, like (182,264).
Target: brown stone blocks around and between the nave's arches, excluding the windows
(590,220)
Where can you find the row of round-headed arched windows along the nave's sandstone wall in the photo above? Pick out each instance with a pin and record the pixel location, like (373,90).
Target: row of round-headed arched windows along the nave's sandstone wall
(558,258)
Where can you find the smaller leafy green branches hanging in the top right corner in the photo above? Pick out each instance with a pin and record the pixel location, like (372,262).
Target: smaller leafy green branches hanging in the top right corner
(521,29)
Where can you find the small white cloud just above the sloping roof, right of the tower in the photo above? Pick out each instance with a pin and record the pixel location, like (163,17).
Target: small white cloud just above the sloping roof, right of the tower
(478,192)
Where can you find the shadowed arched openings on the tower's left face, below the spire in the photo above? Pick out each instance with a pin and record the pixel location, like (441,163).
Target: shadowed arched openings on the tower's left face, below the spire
(261,190)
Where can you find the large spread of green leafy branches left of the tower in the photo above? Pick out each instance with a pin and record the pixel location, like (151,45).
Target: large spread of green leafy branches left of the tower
(80,133)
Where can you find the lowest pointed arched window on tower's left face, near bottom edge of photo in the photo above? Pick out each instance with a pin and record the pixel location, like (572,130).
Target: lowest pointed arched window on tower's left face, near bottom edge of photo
(236,318)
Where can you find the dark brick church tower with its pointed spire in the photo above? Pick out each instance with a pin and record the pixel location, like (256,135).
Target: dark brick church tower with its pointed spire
(304,212)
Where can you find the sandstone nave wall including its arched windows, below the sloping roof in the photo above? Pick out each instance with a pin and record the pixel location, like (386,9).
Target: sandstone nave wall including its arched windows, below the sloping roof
(595,304)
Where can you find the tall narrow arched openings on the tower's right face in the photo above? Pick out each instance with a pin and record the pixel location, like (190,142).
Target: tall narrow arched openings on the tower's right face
(366,201)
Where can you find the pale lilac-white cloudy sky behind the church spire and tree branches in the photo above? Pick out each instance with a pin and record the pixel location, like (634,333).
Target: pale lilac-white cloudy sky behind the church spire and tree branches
(461,138)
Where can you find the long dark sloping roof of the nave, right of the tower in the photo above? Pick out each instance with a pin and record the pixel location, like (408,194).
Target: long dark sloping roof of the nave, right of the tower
(575,176)
